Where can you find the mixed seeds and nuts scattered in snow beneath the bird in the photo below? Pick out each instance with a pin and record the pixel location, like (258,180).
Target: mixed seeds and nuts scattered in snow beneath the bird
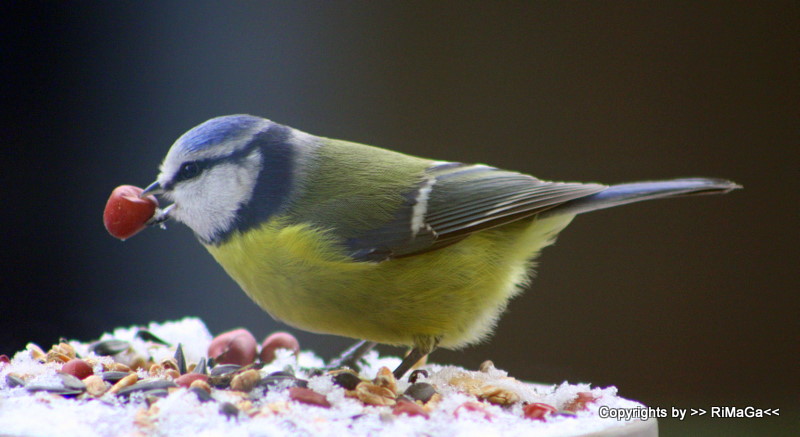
(175,379)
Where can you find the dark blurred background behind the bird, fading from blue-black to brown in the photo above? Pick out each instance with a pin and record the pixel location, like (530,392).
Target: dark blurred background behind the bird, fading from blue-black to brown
(687,303)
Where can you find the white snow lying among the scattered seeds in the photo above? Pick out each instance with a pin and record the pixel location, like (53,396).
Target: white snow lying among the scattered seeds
(42,414)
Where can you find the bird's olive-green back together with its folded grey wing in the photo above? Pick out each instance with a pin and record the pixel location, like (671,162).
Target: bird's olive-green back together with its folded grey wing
(386,205)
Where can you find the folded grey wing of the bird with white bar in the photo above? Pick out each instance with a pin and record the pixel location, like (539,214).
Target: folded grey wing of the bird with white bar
(454,200)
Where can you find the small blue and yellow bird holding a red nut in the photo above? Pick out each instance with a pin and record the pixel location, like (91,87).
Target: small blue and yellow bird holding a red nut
(337,237)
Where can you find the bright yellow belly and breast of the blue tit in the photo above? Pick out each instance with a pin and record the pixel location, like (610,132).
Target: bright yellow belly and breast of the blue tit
(299,276)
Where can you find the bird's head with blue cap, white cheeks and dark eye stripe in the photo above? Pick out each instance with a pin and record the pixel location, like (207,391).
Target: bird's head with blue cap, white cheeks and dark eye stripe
(213,172)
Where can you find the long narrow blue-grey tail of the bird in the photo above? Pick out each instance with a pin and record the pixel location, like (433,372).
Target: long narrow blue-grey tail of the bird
(621,194)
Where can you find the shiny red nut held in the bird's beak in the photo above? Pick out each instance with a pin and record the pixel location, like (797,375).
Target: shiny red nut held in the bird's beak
(126,213)
